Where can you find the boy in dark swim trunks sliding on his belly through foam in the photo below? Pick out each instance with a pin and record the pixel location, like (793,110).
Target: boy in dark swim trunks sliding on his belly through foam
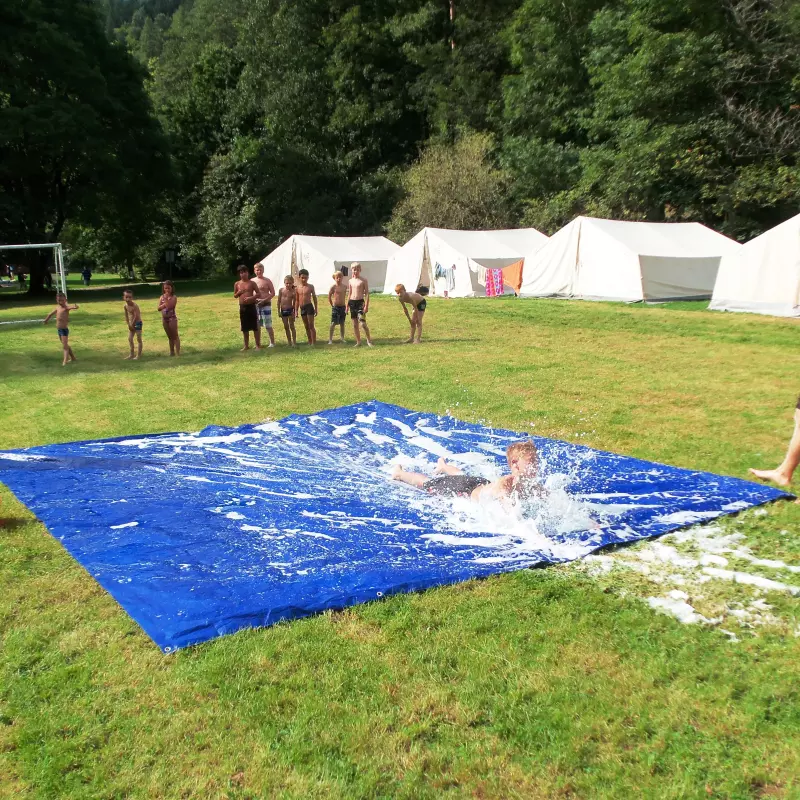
(523,461)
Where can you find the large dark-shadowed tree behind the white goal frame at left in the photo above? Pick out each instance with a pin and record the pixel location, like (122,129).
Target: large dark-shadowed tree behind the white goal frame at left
(78,140)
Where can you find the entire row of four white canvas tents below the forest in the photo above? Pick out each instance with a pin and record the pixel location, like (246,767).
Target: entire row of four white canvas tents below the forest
(593,259)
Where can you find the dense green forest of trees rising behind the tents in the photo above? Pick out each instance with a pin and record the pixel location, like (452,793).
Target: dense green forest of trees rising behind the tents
(220,127)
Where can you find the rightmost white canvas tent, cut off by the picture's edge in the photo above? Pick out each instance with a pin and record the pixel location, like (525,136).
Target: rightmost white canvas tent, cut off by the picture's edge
(764,276)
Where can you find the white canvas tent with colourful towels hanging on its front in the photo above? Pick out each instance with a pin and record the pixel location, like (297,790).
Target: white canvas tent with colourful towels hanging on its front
(462,258)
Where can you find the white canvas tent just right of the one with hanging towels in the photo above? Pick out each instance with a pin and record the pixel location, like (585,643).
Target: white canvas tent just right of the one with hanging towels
(601,259)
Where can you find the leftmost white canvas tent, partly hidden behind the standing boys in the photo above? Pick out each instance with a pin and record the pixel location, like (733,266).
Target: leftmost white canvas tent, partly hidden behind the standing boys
(323,255)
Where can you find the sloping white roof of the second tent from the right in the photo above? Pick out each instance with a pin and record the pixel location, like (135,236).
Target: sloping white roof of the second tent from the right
(665,239)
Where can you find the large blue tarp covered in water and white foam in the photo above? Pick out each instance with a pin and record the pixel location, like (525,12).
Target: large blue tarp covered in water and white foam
(199,535)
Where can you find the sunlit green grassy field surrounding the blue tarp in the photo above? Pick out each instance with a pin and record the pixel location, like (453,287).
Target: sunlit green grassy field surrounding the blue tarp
(558,682)
